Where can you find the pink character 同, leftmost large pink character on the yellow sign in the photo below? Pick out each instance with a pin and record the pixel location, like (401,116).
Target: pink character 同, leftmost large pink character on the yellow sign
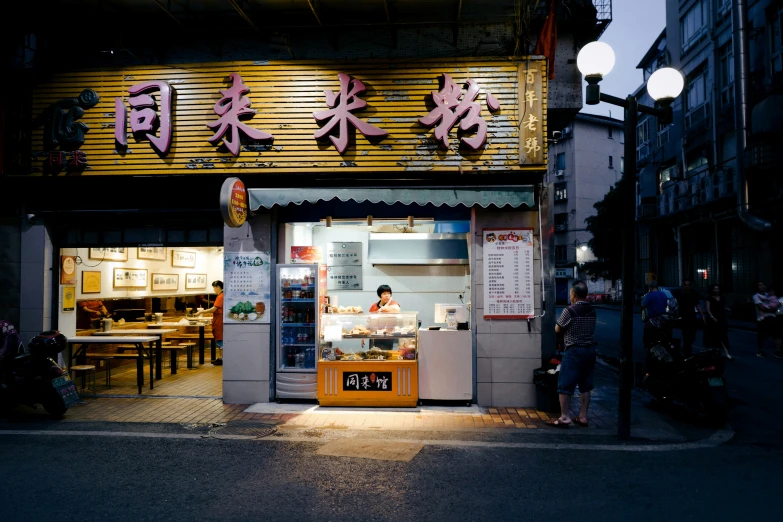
(143,117)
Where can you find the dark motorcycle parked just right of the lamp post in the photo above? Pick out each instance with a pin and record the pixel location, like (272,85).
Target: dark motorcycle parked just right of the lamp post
(696,381)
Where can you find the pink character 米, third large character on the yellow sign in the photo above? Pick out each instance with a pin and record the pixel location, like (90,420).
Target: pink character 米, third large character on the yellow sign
(341,106)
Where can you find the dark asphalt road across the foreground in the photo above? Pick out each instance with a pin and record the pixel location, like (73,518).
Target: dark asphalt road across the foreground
(121,478)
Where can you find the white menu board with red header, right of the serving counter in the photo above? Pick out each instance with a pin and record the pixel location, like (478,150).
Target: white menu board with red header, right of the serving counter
(508,273)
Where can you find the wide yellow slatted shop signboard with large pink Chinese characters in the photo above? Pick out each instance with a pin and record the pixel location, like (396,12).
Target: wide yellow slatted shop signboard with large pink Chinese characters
(373,118)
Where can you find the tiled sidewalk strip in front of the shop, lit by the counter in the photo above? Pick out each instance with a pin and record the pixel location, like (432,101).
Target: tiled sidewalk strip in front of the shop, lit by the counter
(428,421)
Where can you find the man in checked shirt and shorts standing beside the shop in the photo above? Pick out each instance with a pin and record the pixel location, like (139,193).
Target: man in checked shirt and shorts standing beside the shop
(577,366)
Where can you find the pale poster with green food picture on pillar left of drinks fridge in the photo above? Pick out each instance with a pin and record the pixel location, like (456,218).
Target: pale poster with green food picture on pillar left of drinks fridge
(247,295)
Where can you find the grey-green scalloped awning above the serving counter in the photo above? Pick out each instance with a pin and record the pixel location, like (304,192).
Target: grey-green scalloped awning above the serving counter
(483,197)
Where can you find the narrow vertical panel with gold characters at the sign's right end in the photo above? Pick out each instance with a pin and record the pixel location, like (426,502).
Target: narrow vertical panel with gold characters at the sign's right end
(532,125)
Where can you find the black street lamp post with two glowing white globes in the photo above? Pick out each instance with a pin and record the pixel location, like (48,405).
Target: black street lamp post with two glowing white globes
(595,60)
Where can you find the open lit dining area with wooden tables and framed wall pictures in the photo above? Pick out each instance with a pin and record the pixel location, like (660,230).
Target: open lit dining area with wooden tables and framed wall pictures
(136,315)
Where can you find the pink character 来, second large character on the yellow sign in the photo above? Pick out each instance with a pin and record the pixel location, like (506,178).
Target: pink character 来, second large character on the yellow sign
(231,107)
